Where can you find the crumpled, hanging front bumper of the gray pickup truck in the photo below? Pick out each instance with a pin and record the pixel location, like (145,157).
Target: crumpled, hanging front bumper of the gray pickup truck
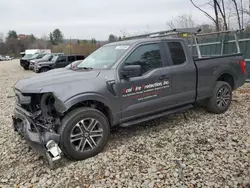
(35,135)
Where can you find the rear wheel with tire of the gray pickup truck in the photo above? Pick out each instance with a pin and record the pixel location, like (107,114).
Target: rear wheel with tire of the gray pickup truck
(221,98)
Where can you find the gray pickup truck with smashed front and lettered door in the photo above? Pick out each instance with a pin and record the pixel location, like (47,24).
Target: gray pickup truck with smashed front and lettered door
(71,110)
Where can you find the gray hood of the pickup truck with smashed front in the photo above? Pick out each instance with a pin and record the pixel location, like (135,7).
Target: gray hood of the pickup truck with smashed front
(56,77)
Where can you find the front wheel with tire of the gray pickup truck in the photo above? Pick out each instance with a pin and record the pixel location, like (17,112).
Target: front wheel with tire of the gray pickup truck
(71,123)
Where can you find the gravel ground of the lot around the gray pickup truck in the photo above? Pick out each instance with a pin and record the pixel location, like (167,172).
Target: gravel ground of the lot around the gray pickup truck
(190,149)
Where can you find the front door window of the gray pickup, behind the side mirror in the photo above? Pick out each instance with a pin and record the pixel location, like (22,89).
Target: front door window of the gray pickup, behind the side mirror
(148,56)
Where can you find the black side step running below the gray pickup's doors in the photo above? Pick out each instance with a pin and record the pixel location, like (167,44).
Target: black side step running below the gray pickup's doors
(154,116)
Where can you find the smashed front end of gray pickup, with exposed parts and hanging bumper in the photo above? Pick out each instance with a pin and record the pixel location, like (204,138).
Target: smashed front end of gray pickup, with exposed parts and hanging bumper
(36,118)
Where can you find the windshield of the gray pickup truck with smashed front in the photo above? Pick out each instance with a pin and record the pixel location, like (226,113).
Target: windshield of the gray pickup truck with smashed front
(104,57)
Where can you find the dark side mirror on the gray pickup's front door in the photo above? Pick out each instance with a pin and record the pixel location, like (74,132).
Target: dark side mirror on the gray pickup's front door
(129,71)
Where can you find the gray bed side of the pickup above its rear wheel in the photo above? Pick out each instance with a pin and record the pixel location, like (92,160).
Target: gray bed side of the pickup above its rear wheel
(211,68)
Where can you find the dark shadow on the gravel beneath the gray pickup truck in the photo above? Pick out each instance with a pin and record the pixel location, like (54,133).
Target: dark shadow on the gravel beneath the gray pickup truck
(123,134)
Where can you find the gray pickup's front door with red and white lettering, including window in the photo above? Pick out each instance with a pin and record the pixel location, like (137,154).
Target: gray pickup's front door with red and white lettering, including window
(141,95)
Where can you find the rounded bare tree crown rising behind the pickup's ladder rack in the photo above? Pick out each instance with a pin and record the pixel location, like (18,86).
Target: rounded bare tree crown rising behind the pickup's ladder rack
(182,21)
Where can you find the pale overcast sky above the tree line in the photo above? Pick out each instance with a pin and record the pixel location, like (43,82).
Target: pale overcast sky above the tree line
(93,18)
